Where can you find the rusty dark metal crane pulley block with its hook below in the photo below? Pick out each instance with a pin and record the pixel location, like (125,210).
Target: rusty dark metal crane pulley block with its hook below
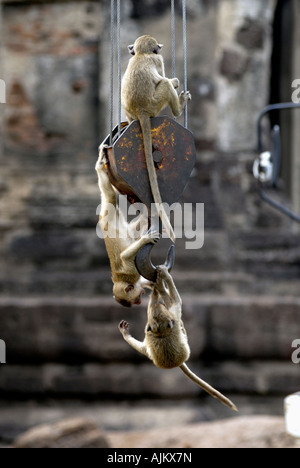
(174,155)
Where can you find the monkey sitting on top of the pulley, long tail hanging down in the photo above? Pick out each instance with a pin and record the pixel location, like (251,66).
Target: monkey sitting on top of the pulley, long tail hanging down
(145,92)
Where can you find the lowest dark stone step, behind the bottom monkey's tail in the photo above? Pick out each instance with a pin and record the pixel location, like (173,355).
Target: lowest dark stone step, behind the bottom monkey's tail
(144,380)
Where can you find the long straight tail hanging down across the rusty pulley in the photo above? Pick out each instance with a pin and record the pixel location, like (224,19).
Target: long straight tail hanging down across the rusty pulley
(146,130)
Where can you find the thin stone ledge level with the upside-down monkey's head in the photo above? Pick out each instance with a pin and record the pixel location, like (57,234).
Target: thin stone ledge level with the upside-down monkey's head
(97,281)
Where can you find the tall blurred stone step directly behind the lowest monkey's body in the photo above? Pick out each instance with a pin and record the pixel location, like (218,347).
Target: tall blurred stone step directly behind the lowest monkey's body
(79,330)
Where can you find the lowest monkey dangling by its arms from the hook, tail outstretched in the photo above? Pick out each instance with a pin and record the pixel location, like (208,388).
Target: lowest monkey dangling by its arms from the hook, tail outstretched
(166,342)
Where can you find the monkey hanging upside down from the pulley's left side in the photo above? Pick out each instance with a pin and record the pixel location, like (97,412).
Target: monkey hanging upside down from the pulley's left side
(122,248)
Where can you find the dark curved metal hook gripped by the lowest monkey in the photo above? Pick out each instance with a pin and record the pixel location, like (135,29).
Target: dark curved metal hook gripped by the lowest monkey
(145,266)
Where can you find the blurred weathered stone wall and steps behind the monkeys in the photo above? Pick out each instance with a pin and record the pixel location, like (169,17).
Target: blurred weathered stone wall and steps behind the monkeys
(241,306)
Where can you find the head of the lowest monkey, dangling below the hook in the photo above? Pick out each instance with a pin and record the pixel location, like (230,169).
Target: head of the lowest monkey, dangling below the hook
(160,321)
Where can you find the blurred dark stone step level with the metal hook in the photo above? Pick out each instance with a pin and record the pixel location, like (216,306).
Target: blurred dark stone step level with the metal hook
(78,249)
